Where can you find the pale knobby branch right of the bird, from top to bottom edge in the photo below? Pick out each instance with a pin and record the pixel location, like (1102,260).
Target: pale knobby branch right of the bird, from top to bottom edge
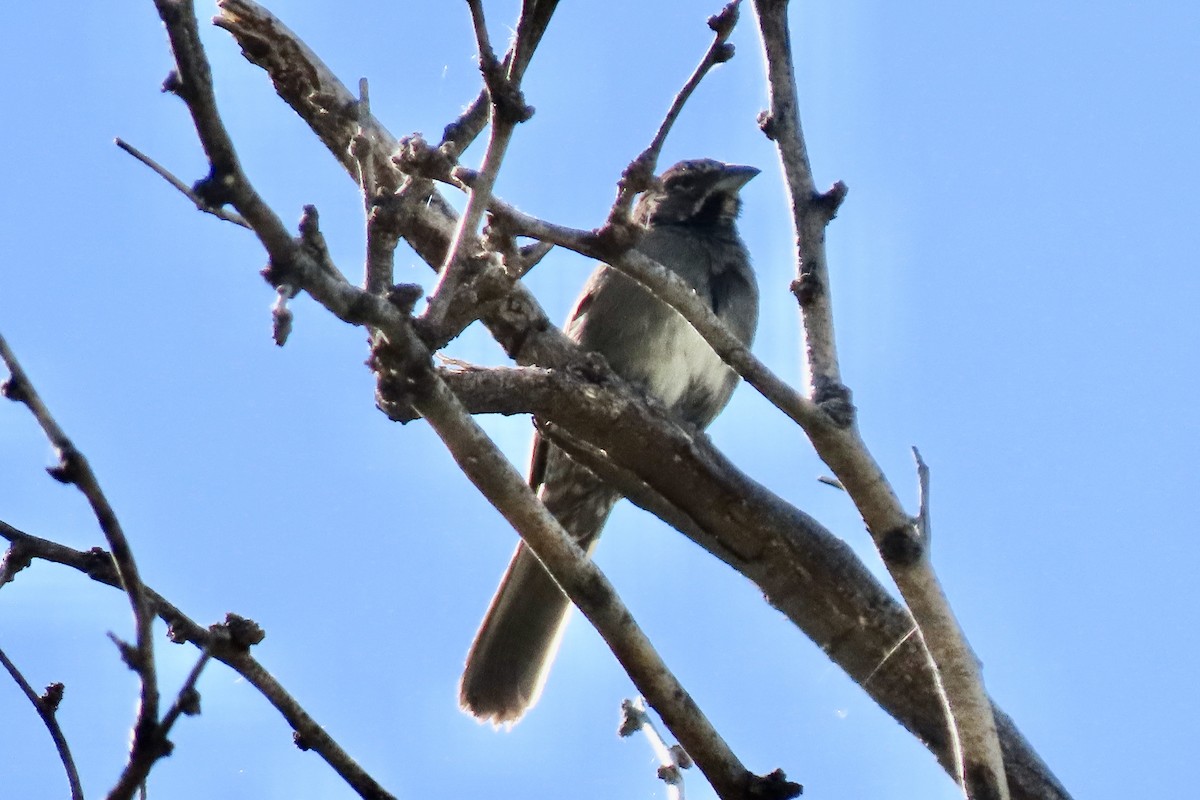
(980,767)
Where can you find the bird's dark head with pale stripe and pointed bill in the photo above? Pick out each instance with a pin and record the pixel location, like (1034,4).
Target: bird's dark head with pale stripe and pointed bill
(700,193)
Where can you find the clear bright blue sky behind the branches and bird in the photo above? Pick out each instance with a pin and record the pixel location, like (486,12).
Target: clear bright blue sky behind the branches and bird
(1016,290)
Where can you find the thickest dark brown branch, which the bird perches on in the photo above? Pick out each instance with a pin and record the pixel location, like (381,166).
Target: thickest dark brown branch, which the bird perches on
(803,570)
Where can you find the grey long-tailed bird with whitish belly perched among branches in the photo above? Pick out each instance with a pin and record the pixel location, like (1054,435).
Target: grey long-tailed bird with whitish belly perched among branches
(691,230)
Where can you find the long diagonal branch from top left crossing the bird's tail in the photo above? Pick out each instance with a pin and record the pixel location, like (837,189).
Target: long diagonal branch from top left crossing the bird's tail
(307,264)
